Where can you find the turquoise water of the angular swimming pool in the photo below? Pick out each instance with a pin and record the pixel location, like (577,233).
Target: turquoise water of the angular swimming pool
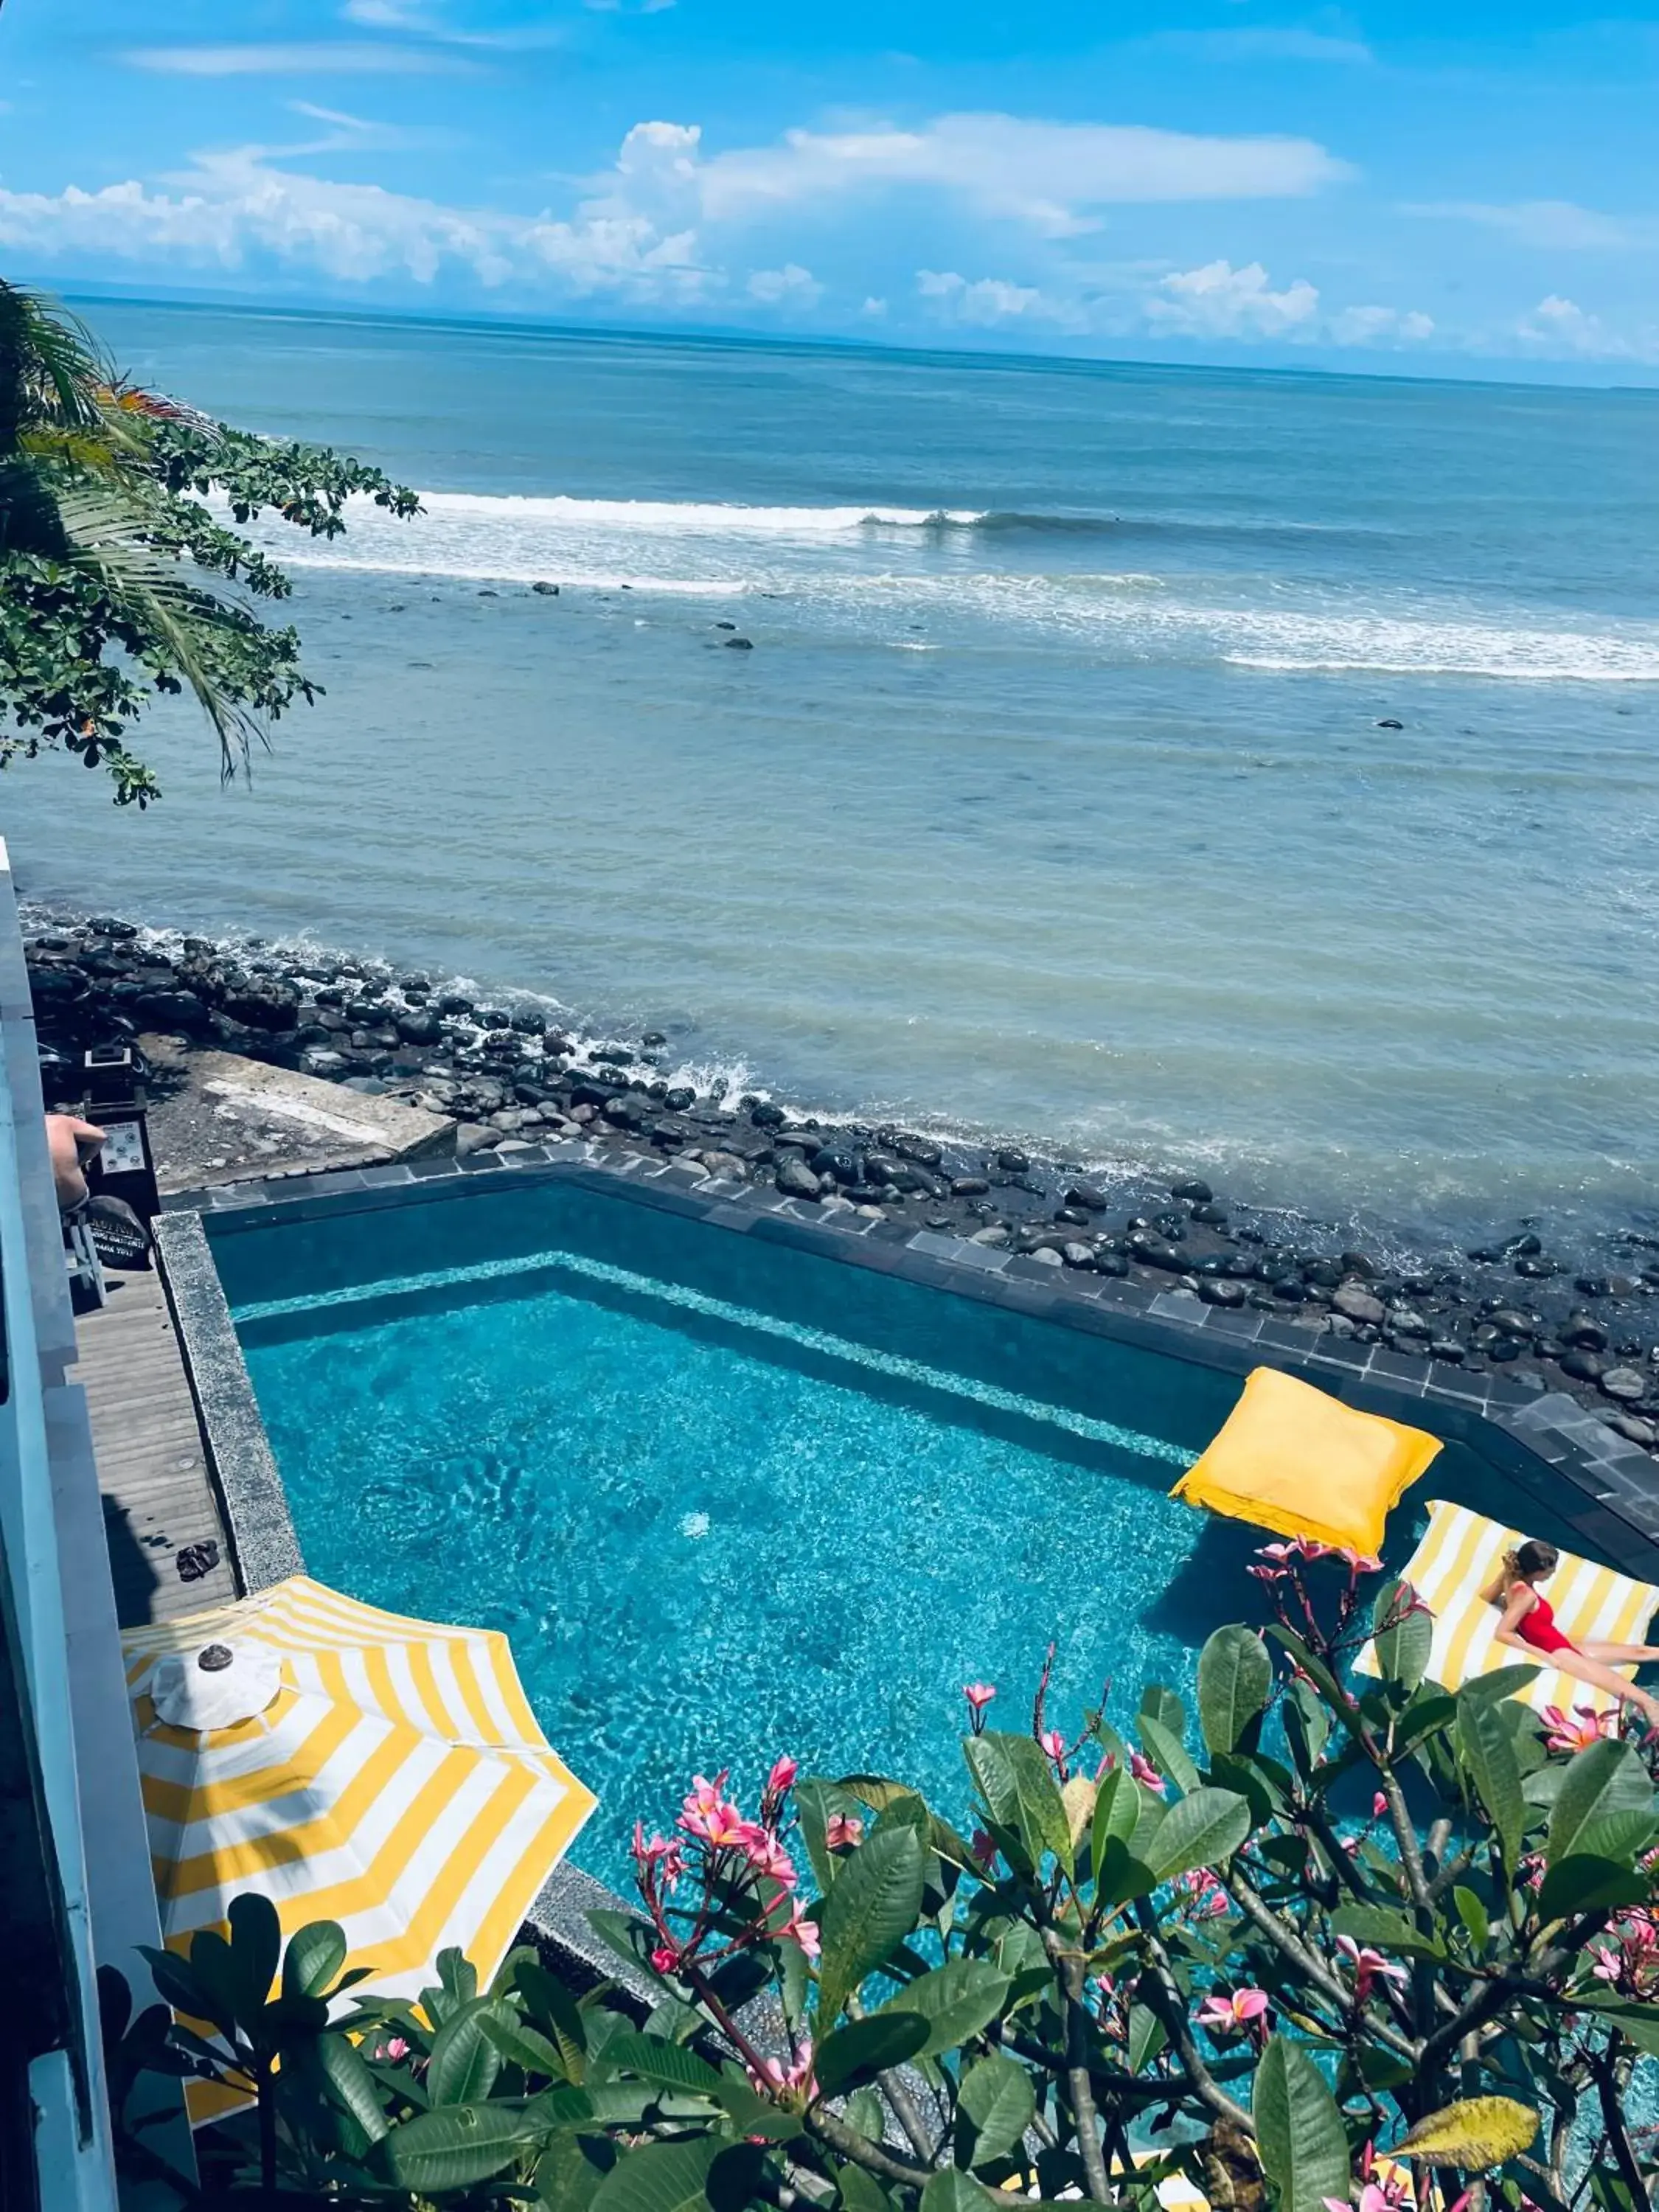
(727,1499)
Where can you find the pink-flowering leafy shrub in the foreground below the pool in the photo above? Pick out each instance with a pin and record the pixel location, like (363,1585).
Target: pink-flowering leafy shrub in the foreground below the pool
(1342,1943)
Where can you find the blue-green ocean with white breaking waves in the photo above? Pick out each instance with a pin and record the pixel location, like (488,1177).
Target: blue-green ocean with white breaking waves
(1249,773)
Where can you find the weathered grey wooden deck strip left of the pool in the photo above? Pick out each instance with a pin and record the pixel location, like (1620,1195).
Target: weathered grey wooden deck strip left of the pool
(152,1461)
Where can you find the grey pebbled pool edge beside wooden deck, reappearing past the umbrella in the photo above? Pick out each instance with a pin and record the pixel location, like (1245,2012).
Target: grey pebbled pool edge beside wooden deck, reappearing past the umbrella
(264,1550)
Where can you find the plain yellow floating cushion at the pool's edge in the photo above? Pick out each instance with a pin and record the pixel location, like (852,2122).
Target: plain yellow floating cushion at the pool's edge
(1302,1463)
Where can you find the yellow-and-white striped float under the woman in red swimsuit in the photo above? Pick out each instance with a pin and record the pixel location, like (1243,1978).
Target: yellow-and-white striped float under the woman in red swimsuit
(1461,1556)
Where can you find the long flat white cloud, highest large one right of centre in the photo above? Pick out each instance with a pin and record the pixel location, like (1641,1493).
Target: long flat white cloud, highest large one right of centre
(1039,174)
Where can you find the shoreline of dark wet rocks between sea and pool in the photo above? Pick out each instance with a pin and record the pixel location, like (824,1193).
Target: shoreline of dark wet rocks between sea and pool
(508,1076)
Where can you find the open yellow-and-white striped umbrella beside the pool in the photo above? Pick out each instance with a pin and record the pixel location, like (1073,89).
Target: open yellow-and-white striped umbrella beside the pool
(351,1766)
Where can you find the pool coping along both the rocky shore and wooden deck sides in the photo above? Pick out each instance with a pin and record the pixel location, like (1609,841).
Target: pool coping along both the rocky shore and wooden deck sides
(1525,1432)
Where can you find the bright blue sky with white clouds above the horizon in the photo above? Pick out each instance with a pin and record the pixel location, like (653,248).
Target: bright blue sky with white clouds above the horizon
(1404,187)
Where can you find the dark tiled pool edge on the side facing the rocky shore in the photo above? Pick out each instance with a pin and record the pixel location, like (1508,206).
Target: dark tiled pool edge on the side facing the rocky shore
(1541,1434)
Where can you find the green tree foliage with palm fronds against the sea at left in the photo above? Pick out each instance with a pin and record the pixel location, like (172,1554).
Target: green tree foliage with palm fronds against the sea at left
(121,574)
